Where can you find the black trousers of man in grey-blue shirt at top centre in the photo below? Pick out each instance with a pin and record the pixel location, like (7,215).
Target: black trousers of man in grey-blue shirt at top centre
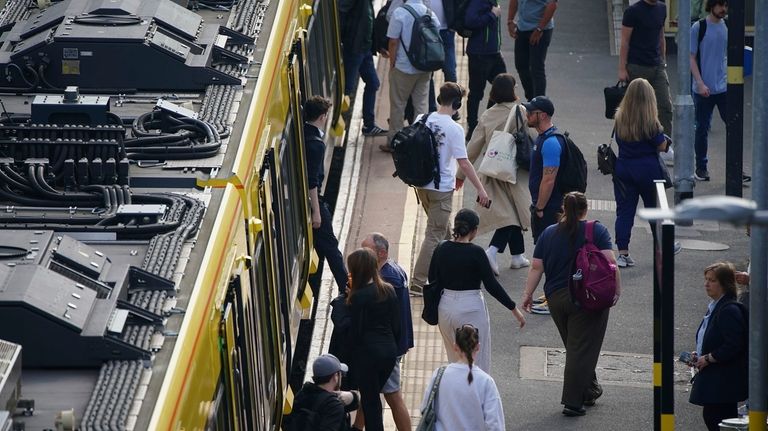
(529,62)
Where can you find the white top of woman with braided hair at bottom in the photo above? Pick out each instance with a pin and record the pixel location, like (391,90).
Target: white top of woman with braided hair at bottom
(461,406)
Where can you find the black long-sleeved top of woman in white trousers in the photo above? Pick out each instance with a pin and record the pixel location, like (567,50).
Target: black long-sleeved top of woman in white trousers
(462,266)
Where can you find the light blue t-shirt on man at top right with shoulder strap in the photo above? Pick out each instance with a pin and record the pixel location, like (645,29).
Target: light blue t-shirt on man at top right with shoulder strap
(713,55)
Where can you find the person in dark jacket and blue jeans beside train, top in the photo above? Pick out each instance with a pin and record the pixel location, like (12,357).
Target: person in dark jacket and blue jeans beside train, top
(356,18)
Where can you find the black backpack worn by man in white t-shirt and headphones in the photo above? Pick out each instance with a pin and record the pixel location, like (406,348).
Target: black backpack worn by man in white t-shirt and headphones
(414,151)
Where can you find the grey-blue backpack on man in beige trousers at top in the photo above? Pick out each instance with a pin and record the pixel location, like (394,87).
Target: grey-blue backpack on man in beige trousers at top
(425,51)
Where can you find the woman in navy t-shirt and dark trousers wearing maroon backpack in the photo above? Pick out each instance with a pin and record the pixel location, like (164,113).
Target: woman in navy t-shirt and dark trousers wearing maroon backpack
(582,331)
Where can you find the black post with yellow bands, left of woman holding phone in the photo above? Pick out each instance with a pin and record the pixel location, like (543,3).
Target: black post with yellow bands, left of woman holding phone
(663,318)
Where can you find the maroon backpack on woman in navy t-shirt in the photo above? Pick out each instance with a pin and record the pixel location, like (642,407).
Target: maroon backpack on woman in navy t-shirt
(593,280)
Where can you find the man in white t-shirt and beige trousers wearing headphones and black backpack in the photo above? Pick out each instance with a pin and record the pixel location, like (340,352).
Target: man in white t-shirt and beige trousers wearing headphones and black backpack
(438,202)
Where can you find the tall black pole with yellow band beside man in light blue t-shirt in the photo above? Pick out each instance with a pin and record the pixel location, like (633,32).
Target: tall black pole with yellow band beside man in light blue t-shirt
(734,141)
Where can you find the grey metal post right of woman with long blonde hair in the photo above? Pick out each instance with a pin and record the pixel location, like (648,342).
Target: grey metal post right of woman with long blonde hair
(683,130)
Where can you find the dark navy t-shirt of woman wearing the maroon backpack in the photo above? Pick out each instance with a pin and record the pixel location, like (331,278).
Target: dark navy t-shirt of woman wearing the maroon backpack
(555,250)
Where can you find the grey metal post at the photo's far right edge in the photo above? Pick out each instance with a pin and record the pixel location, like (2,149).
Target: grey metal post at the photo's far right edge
(758,297)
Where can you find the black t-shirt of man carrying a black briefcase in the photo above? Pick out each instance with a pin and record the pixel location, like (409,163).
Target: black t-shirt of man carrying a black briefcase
(646,22)
